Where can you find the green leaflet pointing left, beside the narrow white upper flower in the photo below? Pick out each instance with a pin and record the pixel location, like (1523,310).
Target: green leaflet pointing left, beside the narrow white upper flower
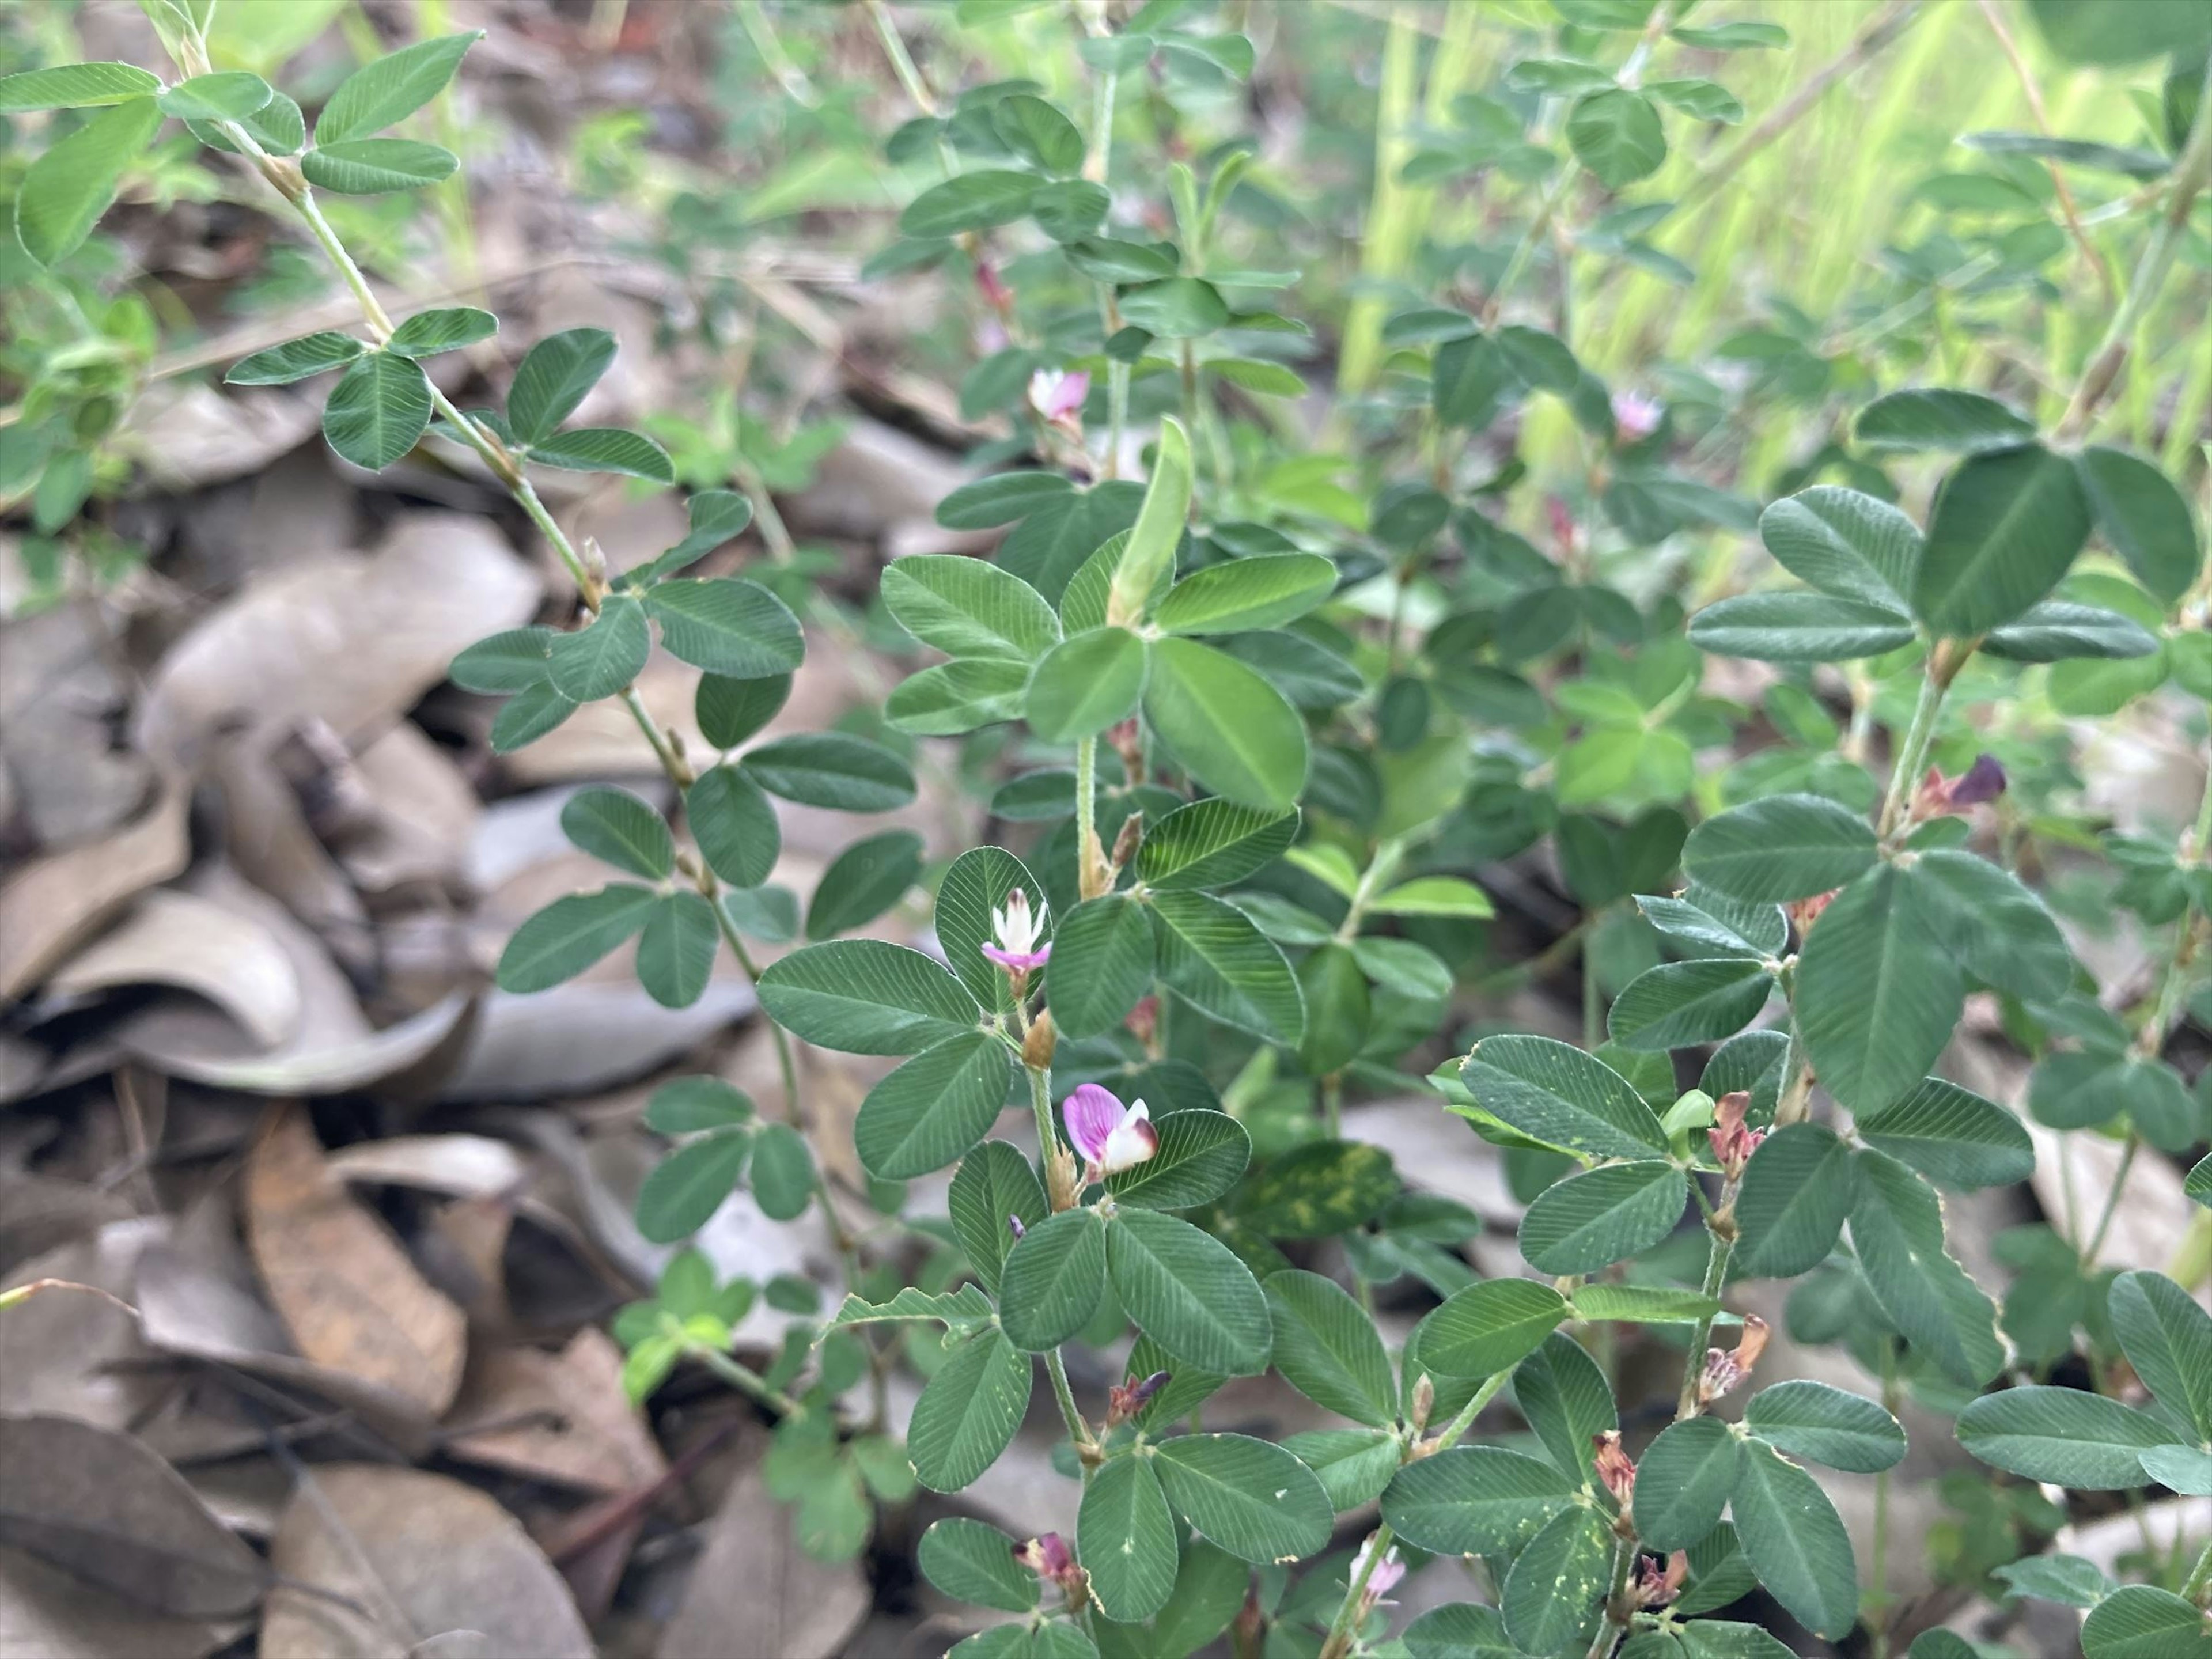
(866,999)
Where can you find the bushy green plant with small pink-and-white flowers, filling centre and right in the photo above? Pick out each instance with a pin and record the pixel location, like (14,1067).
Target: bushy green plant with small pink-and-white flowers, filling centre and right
(1275,709)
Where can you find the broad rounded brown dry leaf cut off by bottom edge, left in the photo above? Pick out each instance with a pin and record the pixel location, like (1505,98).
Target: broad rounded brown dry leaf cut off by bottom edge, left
(430,1558)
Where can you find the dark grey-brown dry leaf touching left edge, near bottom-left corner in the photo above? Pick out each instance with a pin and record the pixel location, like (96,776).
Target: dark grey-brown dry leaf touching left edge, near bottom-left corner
(107,1510)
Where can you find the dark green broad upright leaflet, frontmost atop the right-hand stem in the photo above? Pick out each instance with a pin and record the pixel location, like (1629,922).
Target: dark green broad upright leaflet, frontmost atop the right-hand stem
(2005,532)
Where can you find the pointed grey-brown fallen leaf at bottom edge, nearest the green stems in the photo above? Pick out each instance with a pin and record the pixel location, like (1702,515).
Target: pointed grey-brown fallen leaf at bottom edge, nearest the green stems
(755,1578)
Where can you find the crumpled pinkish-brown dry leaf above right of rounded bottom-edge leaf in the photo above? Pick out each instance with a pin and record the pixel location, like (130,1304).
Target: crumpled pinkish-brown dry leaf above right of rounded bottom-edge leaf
(565,1417)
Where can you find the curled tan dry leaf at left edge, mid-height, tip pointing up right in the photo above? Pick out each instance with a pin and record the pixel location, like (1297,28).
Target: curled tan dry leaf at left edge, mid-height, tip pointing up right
(50,906)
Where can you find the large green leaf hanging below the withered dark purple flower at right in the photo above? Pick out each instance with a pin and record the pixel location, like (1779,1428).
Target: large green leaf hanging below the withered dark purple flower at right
(1877,994)
